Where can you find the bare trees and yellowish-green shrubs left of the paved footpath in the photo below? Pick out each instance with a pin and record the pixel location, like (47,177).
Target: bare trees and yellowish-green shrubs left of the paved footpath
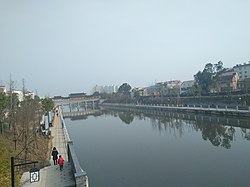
(19,130)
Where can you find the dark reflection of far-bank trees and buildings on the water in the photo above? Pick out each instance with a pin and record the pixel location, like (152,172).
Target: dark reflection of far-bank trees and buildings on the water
(220,131)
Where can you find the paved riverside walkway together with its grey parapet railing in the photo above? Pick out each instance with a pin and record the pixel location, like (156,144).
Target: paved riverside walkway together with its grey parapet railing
(72,175)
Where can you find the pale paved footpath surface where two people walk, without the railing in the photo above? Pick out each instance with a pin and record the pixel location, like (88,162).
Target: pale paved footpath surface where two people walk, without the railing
(52,176)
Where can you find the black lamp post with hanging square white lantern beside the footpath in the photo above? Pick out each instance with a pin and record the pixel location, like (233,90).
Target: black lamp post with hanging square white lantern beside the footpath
(32,174)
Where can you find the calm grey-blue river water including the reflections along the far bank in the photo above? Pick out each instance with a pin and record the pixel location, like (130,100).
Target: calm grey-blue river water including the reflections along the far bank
(121,149)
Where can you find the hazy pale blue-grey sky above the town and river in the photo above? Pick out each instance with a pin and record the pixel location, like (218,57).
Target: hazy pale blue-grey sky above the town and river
(59,46)
